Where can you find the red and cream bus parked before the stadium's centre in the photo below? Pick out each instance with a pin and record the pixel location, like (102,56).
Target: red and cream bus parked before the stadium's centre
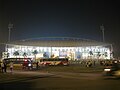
(54,61)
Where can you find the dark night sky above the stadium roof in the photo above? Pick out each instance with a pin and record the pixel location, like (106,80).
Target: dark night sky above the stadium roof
(61,18)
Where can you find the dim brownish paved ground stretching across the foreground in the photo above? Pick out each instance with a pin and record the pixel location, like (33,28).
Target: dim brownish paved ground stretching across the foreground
(60,81)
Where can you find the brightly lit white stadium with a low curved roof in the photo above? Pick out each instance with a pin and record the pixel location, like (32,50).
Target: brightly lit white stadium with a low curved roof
(59,47)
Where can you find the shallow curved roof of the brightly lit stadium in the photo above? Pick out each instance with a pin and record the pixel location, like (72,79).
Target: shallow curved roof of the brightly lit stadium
(58,42)
